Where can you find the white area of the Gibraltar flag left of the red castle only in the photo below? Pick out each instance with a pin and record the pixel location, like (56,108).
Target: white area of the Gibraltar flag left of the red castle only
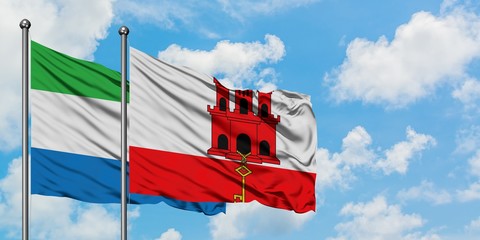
(164,121)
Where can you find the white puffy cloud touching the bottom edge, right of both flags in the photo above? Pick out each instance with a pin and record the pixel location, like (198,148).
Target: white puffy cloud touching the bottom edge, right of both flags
(379,220)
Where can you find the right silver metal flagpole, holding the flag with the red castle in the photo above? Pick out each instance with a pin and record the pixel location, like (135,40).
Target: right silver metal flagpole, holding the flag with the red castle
(123,31)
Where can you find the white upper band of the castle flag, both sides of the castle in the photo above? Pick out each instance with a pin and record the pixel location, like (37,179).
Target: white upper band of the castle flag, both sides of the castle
(168,111)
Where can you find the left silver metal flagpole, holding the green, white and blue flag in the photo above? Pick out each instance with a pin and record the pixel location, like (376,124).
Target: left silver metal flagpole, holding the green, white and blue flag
(25,26)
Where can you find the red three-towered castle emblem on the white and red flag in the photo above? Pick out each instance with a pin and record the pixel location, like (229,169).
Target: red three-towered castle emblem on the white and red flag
(243,130)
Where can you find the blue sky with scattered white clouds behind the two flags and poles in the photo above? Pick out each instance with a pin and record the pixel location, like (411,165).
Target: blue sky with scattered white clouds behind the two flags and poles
(395,89)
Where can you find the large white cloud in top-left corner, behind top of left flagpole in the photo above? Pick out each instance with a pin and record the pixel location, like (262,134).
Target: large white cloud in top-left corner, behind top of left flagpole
(58,24)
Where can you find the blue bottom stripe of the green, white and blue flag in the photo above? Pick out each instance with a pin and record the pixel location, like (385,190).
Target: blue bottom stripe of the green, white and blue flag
(93,179)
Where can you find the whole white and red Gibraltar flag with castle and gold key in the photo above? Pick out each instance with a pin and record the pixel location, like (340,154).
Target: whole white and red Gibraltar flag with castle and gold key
(193,139)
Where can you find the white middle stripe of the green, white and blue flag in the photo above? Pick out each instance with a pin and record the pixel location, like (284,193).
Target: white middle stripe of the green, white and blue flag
(75,124)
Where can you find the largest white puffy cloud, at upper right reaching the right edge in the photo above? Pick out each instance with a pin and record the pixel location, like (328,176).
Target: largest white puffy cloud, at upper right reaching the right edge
(411,66)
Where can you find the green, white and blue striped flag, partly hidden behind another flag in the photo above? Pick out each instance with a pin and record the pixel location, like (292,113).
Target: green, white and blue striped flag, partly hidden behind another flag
(75,132)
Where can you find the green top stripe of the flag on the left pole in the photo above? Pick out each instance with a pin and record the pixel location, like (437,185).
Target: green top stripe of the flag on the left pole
(57,72)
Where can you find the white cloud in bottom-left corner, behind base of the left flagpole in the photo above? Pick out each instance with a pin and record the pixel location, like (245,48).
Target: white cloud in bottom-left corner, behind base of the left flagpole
(52,217)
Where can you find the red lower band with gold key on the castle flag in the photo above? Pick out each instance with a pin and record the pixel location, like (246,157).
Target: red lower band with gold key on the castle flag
(201,179)
